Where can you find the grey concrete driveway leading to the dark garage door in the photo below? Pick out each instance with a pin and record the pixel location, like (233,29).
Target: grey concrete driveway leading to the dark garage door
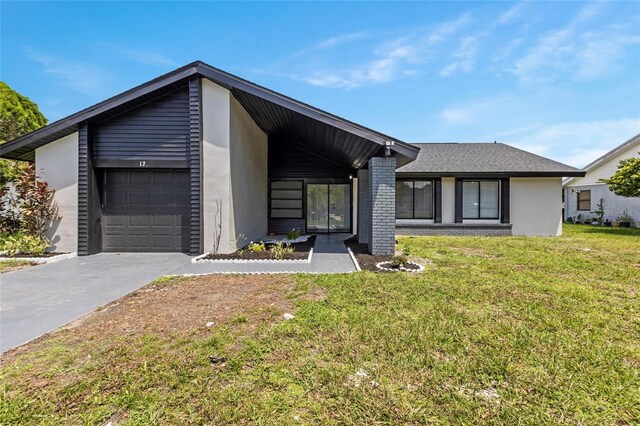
(39,299)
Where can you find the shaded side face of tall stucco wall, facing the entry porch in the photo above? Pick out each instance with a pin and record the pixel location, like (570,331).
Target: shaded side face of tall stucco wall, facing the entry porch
(249,184)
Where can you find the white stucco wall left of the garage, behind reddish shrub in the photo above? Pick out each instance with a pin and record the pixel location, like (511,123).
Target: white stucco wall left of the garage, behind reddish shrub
(57,163)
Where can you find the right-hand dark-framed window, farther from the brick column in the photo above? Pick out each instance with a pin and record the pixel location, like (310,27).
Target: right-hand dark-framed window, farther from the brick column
(481,199)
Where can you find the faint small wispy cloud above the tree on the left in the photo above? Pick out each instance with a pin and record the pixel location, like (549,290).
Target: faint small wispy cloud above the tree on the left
(78,76)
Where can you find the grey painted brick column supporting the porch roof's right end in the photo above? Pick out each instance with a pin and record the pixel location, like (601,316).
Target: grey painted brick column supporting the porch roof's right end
(382,187)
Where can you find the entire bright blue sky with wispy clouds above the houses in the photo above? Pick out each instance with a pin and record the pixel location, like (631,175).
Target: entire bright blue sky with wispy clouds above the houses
(561,79)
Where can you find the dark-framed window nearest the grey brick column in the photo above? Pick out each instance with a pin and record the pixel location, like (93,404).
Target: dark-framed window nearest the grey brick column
(414,199)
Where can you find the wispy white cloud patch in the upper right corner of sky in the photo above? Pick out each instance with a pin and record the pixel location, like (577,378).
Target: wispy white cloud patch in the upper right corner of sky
(570,50)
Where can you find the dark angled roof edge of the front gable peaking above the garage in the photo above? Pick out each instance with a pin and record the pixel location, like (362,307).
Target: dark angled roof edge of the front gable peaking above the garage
(223,78)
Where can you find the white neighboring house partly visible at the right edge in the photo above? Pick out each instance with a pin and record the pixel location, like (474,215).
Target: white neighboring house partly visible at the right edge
(582,194)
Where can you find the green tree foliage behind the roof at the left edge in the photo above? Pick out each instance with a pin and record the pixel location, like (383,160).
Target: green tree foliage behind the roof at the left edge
(18,116)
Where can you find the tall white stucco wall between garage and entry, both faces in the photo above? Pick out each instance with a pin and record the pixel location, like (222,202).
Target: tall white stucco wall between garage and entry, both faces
(234,171)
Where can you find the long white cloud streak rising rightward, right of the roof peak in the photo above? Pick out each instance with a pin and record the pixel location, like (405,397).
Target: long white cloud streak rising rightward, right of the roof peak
(392,60)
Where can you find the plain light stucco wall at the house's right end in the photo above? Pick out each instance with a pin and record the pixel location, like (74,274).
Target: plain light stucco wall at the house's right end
(536,206)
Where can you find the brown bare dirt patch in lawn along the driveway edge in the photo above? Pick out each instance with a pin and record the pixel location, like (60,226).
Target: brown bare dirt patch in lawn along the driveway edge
(180,306)
